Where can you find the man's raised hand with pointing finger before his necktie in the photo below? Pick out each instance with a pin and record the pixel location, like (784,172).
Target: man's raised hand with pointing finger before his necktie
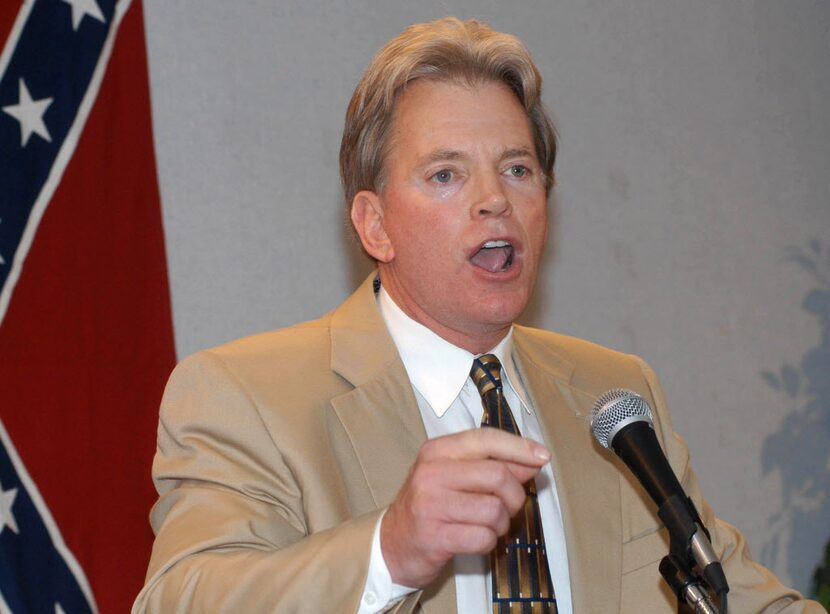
(459,498)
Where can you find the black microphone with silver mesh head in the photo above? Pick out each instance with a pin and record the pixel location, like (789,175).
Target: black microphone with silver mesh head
(621,421)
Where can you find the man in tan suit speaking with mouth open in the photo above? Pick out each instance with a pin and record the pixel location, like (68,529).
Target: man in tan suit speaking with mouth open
(338,465)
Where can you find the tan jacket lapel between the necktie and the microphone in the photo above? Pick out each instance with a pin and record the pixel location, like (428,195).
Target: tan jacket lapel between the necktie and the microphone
(586,483)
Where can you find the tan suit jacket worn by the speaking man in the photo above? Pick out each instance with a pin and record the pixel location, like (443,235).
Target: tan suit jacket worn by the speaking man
(277,454)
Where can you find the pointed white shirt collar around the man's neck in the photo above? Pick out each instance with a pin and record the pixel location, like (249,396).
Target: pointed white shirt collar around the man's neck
(437,368)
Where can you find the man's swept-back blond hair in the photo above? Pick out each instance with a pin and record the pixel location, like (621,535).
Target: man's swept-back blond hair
(468,52)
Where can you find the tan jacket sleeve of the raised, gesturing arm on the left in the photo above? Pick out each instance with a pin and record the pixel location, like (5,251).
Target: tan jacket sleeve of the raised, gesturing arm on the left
(231,532)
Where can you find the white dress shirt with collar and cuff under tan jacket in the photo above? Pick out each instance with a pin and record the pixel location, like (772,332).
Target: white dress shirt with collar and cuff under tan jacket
(449,403)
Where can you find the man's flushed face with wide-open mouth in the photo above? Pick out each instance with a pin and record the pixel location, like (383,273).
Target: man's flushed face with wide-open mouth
(464,209)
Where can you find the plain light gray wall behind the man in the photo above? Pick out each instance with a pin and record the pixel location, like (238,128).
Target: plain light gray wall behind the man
(693,178)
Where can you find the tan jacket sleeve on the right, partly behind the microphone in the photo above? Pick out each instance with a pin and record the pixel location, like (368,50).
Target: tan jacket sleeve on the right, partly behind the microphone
(752,587)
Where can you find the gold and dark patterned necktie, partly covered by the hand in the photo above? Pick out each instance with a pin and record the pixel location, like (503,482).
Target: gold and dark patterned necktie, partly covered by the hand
(519,563)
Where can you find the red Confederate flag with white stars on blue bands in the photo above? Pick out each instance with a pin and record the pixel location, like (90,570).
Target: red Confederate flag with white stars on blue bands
(85,331)
